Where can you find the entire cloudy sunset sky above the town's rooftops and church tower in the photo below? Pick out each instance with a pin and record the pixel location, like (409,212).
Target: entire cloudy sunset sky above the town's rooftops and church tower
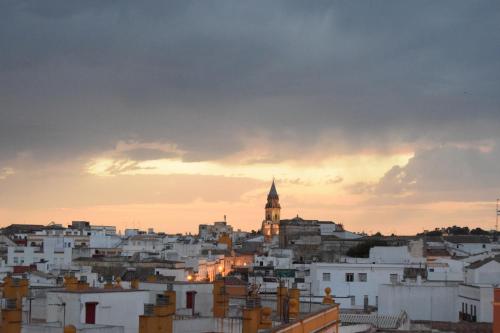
(380,115)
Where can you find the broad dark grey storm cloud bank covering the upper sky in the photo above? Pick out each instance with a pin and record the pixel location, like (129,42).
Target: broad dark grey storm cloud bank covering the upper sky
(75,78)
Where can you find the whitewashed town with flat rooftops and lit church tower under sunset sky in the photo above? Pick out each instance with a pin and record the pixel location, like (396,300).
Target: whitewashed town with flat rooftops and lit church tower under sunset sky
(291,273)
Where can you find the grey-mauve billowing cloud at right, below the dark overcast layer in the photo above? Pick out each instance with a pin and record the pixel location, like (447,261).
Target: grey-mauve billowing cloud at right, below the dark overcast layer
(446,173)
